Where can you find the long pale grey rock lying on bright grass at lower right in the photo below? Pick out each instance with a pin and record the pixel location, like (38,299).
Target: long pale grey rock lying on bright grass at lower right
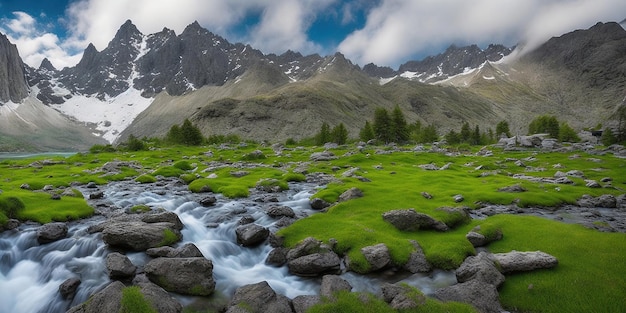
(516,261)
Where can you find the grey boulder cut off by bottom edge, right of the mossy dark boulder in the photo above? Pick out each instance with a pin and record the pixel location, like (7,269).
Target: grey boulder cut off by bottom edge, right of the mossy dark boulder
(259,297)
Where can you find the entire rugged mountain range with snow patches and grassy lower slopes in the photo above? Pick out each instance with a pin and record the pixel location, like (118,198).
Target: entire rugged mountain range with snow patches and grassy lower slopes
(143,84)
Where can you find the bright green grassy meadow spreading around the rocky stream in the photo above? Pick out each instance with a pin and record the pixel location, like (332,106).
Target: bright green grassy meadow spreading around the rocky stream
(590,276)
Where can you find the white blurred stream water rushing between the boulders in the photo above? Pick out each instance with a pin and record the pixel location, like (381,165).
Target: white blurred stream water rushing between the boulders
(30,273)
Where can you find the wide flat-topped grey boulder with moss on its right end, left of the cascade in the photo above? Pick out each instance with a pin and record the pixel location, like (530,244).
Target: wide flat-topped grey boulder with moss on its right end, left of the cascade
(140,236)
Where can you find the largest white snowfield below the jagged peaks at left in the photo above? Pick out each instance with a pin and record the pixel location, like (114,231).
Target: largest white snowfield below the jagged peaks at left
(110,116)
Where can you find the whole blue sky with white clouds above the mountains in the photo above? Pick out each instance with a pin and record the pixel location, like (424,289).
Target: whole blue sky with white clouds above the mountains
(386,32)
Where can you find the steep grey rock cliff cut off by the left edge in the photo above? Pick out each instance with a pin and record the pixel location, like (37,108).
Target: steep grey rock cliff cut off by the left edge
(13,86)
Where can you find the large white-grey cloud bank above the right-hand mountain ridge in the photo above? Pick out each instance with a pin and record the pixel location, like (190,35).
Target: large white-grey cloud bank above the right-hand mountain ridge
(398,29)
